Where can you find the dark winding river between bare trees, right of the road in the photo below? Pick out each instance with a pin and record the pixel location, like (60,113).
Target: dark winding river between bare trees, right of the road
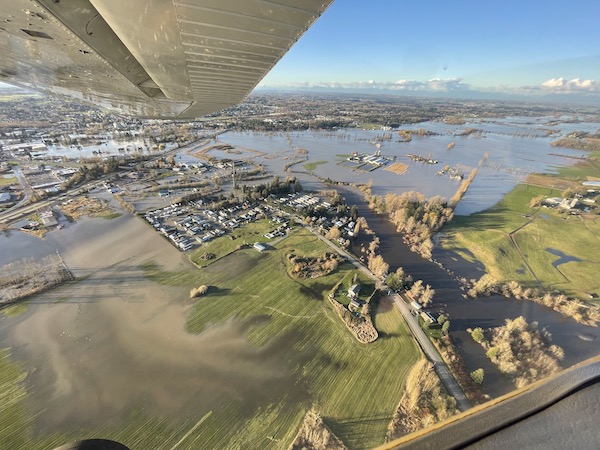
(579,341)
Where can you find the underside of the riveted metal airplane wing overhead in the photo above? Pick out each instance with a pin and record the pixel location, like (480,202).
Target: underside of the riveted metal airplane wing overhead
(150,58)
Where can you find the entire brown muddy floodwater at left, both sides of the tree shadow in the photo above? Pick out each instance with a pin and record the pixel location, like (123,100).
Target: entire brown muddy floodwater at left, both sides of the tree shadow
(115,341)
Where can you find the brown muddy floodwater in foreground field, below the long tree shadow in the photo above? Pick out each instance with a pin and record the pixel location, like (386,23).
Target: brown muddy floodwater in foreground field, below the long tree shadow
(91,364)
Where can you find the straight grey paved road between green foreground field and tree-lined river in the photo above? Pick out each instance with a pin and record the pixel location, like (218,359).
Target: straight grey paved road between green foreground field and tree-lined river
(430,351)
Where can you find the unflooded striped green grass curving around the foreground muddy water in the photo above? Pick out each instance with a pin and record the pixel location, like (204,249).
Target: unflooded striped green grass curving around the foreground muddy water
(355,387)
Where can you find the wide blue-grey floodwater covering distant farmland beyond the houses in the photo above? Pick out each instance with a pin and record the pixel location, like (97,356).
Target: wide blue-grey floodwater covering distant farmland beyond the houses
(504,150)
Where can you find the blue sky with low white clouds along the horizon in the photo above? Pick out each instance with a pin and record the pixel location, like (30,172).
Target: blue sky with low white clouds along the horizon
(526,47)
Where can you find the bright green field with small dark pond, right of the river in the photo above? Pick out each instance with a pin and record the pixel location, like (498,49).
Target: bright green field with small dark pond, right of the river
(486,236)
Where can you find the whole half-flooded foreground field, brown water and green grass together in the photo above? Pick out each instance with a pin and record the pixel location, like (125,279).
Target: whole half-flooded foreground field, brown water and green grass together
(119,354)
